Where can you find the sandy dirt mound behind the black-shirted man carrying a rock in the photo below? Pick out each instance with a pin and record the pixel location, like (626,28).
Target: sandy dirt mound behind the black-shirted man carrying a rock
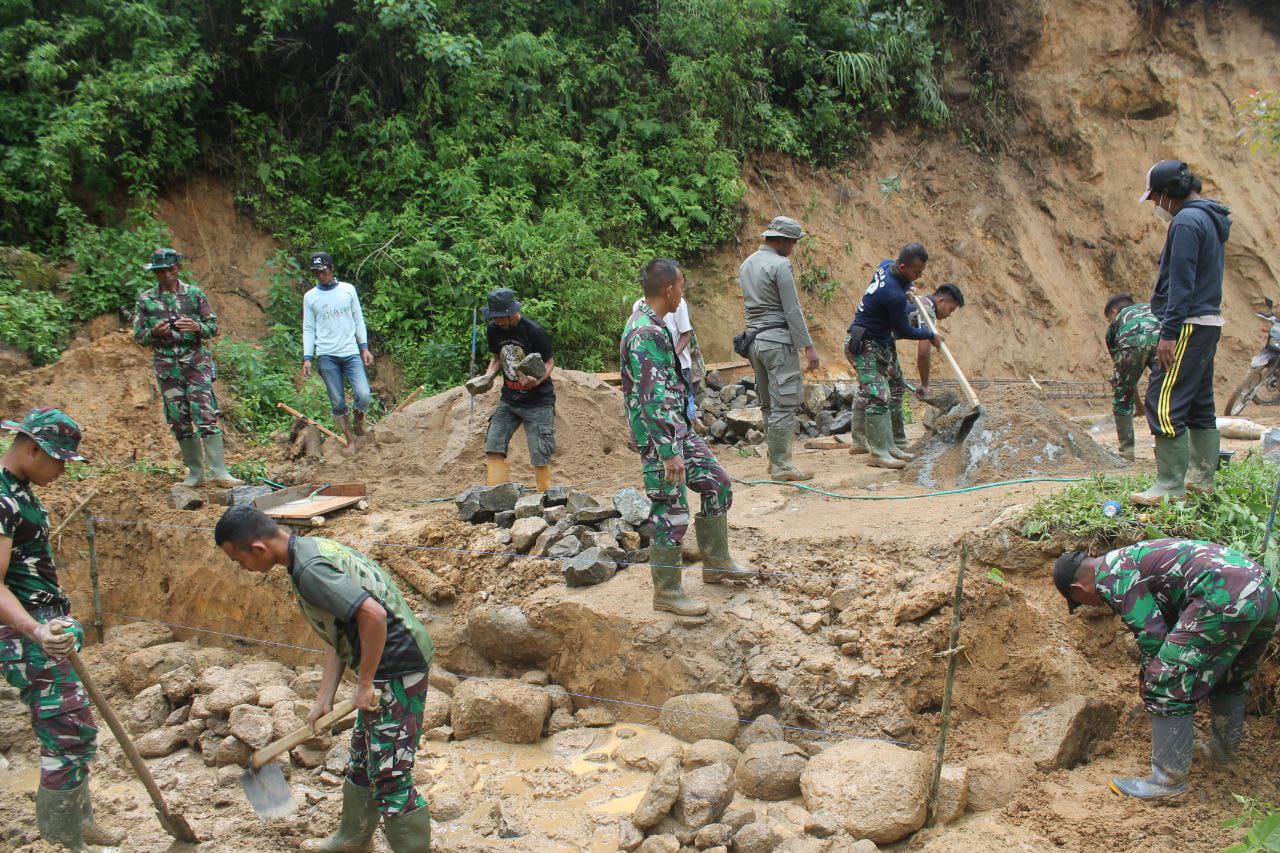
(436,448)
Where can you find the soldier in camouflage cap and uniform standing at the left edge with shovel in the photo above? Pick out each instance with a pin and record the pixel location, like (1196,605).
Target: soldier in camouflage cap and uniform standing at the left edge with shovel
(38,631)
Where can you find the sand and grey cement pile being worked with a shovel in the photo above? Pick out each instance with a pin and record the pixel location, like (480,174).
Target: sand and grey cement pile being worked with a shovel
(1017,435)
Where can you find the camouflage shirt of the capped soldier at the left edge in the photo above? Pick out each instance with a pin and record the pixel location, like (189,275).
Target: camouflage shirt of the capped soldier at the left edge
(24,521)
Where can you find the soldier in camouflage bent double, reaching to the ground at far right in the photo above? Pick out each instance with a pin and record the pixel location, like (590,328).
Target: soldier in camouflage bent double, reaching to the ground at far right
(1203,615)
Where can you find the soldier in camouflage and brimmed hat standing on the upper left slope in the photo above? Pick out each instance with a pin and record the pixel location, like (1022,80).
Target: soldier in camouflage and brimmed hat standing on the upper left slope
(175,320)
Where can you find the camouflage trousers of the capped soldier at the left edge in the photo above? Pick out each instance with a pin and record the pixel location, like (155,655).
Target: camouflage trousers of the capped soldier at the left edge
(60,708)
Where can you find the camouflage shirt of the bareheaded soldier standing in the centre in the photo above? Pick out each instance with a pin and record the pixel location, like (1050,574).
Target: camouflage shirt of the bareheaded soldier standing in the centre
(653,389)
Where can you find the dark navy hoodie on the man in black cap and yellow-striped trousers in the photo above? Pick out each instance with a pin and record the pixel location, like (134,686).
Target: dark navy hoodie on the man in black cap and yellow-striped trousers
(1191,267)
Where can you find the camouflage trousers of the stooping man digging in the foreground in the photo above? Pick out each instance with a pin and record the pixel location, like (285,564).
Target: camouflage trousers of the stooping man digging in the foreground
(383,746)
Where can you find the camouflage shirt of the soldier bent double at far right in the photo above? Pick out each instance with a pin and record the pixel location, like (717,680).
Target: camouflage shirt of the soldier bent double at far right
(1150,585)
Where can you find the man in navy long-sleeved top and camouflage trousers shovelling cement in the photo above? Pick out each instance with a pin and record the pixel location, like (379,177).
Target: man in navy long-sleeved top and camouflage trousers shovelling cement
(883,314)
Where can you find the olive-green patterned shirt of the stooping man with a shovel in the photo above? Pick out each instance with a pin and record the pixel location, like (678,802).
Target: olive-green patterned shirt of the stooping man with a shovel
(332,581)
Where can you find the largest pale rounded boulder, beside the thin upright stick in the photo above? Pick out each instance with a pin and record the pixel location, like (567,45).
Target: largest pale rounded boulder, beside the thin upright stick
(877,791)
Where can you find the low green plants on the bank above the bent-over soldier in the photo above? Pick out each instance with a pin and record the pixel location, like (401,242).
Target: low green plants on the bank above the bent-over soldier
(1235,516)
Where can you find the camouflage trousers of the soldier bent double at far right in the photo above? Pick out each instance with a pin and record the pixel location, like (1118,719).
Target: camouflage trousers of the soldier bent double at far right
(1210,651)
